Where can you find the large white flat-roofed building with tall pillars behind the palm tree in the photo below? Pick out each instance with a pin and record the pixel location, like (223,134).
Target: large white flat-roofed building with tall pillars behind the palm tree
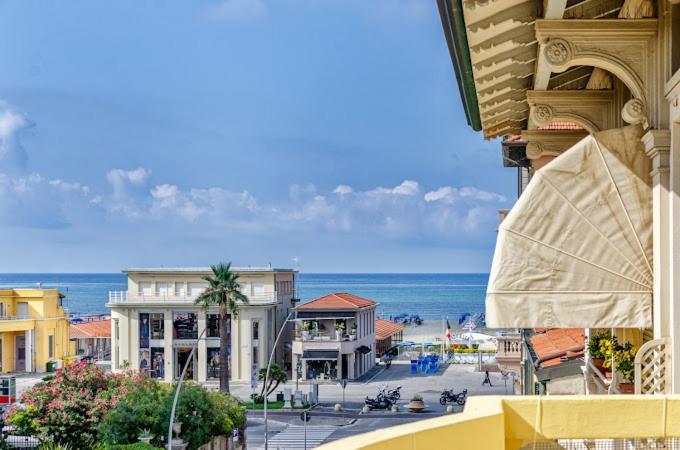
(155,323)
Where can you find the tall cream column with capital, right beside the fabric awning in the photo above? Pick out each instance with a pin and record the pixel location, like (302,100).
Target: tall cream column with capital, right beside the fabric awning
(657,147)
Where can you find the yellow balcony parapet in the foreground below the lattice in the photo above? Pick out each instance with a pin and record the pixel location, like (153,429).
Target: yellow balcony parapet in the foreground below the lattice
(513,423)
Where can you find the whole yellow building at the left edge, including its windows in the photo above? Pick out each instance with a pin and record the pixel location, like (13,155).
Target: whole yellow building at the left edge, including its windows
(34,329)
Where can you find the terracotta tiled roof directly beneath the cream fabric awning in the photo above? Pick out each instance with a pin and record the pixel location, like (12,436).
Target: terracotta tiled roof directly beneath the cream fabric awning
(554,344)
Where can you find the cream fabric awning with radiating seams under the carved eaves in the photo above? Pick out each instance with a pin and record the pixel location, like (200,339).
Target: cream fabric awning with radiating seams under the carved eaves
(576,249)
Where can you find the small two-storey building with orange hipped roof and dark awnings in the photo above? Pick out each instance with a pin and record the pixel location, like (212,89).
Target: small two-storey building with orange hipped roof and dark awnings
(334,338)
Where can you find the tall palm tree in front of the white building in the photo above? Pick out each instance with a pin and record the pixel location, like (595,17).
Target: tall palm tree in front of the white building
(223,291)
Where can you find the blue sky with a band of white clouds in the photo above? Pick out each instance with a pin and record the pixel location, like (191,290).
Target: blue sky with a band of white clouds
(160,133)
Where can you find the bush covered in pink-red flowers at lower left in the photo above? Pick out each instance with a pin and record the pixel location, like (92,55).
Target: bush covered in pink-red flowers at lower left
(68,408)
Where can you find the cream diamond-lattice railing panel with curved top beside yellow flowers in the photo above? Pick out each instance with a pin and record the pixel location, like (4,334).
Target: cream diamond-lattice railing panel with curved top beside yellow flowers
(652,367)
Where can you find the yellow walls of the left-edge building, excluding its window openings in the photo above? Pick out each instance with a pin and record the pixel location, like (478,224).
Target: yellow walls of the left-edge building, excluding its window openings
(46,318)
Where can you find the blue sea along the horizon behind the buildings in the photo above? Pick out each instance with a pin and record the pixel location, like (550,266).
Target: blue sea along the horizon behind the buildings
(431,296)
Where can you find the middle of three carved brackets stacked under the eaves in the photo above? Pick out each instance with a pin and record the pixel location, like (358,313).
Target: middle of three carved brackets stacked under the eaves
(593,110)
